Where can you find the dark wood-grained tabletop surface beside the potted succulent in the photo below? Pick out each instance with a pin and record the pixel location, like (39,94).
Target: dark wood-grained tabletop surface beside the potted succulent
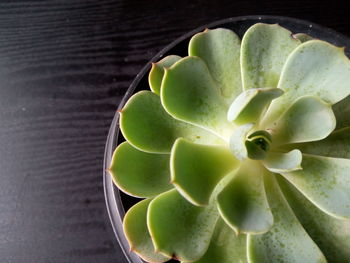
(64,67)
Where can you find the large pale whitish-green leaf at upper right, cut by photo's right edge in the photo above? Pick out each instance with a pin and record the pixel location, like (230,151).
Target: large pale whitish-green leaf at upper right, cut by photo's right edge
(315,68)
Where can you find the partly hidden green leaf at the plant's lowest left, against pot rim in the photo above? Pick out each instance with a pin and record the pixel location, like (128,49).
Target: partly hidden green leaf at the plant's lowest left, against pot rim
(136,232)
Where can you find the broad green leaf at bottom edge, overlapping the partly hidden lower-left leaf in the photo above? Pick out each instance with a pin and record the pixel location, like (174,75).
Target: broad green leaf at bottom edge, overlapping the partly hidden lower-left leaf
(180,229)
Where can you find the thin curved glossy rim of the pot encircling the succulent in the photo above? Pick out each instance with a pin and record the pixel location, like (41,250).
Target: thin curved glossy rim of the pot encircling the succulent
(112,195)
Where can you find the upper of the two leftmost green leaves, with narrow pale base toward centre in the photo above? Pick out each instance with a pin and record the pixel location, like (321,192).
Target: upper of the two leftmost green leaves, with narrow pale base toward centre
(146,125)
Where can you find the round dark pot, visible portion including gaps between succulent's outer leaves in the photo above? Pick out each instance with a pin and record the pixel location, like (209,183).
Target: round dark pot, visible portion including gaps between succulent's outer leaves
(118,202)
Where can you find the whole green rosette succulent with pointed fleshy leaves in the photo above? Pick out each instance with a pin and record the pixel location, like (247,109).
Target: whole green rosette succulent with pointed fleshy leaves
(241,151)
